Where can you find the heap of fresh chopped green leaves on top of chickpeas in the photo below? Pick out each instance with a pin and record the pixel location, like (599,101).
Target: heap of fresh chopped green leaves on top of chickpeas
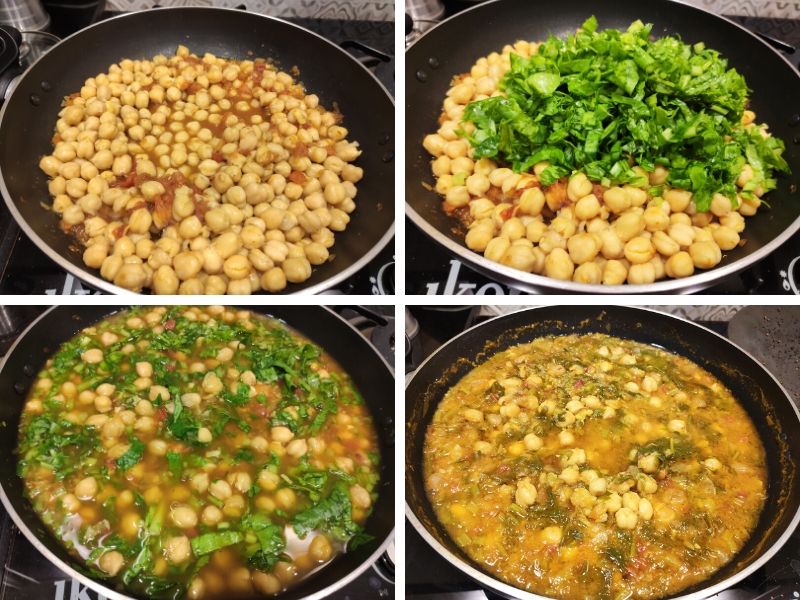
(603,101)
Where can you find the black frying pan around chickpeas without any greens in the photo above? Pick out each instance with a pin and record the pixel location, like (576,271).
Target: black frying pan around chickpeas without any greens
(28,118)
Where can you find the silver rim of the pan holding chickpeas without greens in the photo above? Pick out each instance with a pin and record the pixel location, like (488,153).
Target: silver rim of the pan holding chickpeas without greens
(83,274)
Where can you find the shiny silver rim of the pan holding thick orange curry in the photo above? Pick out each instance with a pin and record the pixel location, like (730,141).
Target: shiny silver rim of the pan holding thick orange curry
(513,592)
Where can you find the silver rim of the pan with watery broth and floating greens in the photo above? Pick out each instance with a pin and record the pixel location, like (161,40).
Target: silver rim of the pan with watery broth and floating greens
(112,594)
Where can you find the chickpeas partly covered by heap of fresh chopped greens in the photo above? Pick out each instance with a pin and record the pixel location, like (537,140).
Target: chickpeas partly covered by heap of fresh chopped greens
(574,229)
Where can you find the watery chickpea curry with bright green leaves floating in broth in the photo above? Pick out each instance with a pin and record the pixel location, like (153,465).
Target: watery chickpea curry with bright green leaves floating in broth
(198,453)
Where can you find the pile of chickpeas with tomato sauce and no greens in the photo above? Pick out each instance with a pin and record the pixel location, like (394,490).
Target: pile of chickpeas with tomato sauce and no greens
(201,175)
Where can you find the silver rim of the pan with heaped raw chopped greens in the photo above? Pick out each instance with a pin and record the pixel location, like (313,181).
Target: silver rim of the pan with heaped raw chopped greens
(532,282)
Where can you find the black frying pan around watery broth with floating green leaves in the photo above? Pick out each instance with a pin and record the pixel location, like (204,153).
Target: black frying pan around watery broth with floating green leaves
(371,375)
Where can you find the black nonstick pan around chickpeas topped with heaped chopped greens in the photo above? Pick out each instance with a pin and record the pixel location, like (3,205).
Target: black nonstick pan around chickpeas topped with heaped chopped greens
(453,46)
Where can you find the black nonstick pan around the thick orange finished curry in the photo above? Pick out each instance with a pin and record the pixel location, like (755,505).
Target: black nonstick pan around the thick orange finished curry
(769,405)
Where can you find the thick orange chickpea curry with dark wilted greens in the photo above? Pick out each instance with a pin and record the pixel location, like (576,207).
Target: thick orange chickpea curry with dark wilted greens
(594,467)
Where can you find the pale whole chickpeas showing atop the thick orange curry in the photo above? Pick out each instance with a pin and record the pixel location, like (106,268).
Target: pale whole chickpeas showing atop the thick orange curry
(624,499)
